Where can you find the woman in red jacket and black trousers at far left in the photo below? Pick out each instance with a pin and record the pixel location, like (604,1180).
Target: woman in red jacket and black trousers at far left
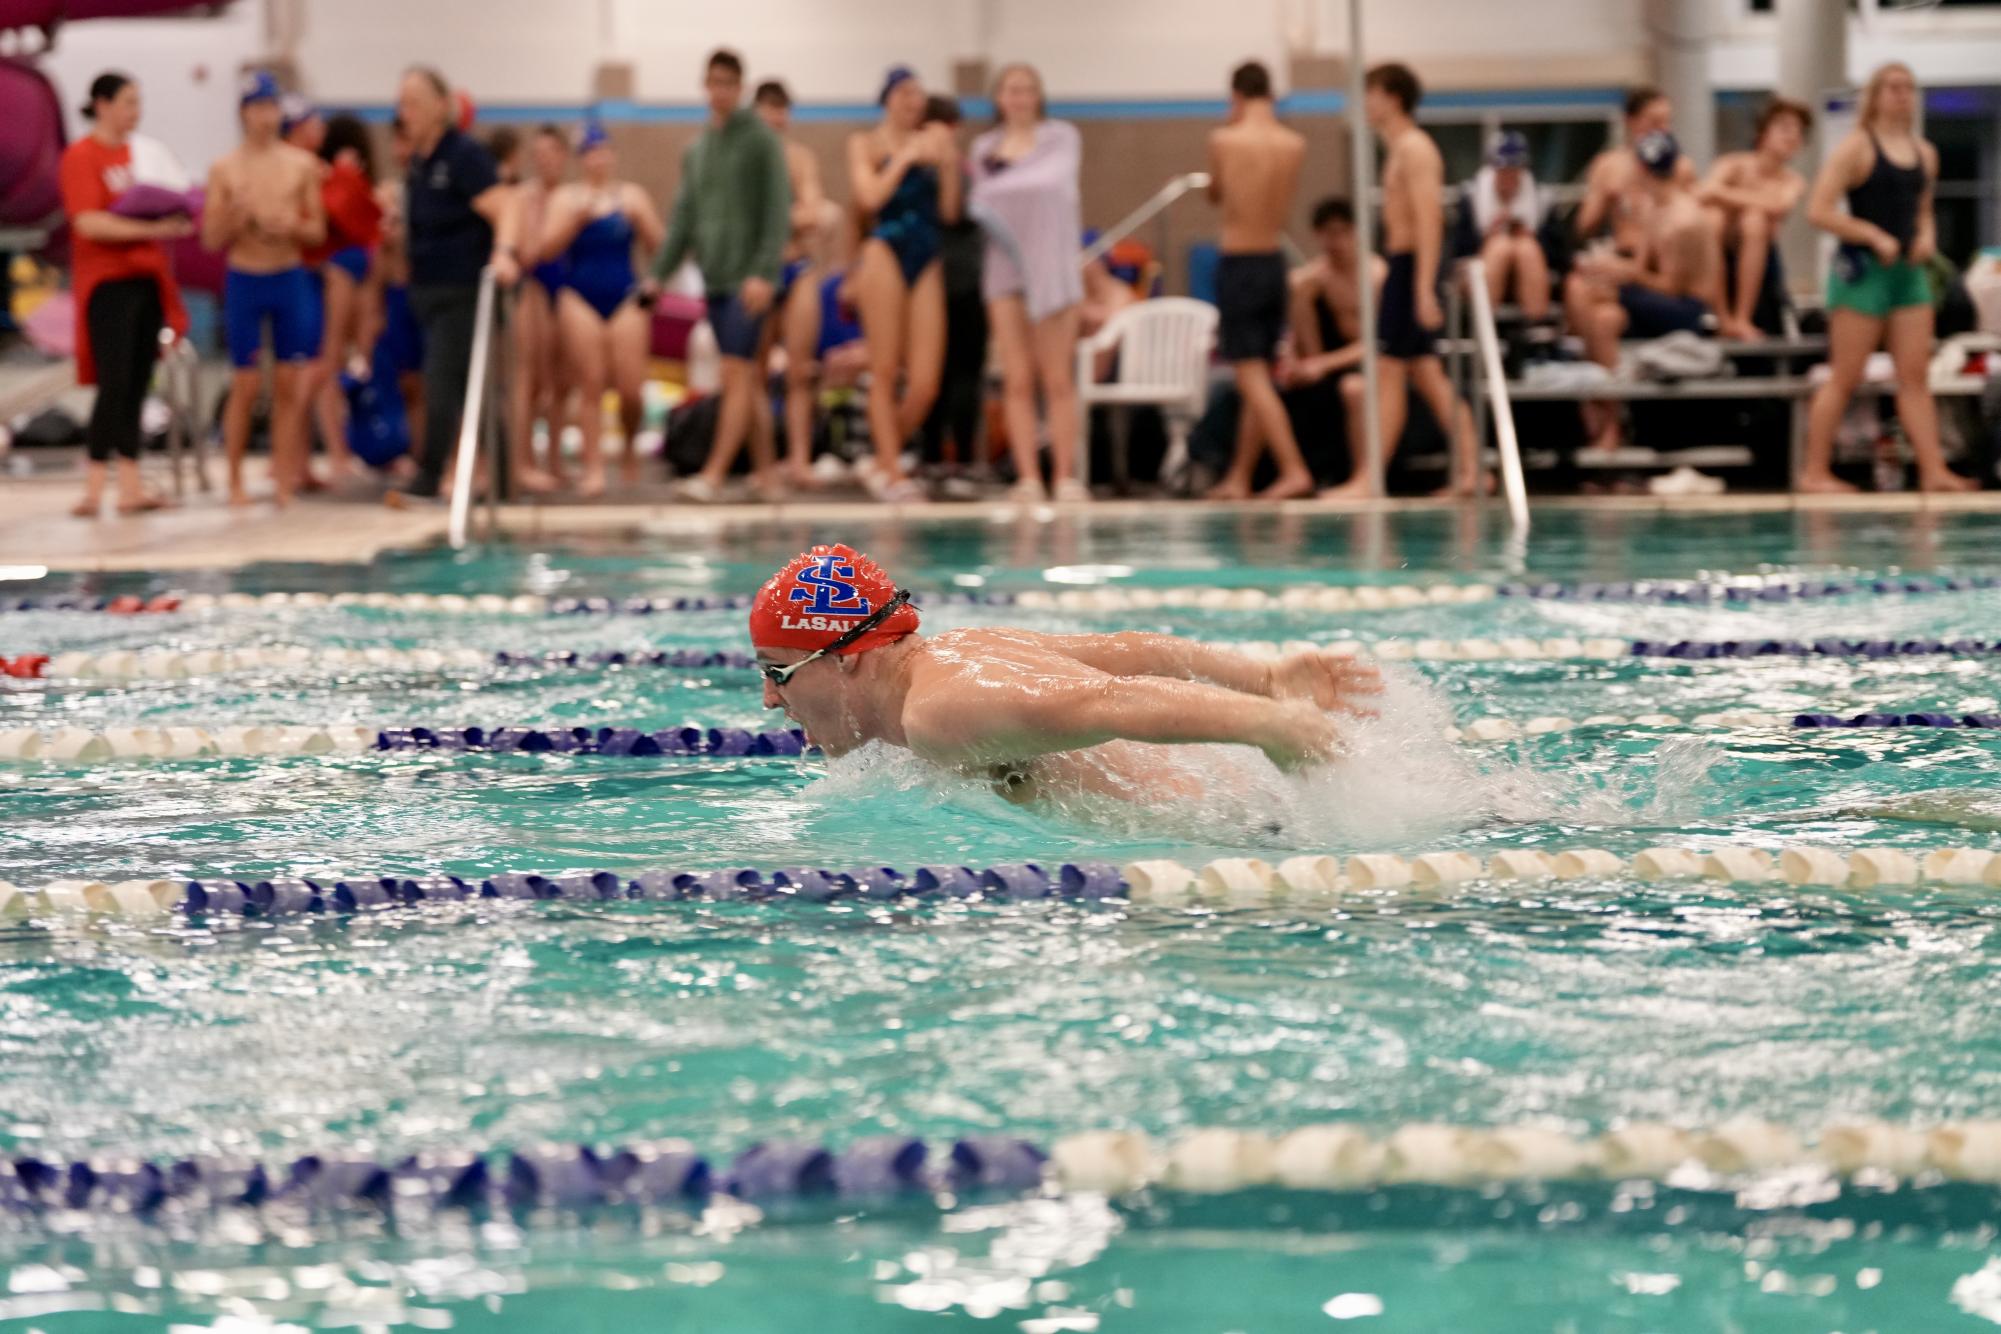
(125,291)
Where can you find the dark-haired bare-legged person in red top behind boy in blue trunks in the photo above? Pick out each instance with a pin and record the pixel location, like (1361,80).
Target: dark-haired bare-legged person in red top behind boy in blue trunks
(353,293)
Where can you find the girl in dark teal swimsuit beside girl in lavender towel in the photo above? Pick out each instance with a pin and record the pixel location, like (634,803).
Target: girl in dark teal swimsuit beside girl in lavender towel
(907,179)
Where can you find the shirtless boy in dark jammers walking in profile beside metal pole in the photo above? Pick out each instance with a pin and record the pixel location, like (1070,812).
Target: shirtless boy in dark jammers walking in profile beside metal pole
(1410,321)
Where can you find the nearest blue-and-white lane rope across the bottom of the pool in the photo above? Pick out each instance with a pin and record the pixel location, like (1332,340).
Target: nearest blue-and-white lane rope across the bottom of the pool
(1332,1159)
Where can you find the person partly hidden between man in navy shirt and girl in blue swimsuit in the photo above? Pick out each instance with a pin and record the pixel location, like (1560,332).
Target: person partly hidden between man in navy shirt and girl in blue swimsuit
(537,393)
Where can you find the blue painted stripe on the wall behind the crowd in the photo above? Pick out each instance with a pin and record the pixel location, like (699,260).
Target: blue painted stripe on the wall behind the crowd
(1316,103)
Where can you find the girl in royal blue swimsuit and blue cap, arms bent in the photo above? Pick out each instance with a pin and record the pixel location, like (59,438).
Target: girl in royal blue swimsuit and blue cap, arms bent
(593,225)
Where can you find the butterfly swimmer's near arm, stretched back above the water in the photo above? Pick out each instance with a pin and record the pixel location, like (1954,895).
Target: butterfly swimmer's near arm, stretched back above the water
(1018,721)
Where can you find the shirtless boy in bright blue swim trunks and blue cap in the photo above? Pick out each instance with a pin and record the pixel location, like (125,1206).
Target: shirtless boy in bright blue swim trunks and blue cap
(265,209)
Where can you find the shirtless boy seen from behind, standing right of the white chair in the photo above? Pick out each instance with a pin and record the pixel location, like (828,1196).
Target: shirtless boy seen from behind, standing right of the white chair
(1254,175)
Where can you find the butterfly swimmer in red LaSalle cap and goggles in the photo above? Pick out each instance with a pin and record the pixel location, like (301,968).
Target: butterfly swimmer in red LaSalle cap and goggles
(1034,713)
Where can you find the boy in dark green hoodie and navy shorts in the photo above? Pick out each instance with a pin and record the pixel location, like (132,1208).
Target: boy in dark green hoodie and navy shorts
(733,215)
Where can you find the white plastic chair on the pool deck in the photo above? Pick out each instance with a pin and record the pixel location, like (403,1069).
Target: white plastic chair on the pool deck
(1164,361)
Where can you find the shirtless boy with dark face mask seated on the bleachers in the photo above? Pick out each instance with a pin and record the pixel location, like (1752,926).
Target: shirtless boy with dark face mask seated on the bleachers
(1672,285)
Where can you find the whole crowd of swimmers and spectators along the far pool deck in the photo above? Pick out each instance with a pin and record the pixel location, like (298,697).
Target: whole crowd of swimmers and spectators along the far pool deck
(351,295)
